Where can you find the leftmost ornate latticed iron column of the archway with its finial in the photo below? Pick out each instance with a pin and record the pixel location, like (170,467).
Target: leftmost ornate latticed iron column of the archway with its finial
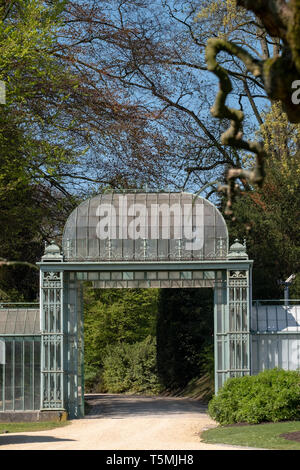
(52,336)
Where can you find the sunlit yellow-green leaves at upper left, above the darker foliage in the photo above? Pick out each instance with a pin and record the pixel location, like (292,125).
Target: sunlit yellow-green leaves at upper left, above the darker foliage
(31,146)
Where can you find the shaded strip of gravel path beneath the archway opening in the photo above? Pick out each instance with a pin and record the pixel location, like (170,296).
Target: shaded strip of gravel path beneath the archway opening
(127,406)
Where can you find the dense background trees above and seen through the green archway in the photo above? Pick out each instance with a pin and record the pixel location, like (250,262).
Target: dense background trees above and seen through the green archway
(115,94)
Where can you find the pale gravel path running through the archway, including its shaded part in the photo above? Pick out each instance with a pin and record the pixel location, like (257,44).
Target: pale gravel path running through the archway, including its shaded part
(120,422)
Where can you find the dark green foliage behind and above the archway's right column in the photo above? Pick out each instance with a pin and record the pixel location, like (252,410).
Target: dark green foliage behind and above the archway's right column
(272,213)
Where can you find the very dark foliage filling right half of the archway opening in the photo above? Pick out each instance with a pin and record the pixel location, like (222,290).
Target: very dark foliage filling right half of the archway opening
(184,335)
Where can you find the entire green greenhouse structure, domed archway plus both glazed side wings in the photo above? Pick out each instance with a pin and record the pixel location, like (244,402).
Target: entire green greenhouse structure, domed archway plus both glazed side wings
(135,240)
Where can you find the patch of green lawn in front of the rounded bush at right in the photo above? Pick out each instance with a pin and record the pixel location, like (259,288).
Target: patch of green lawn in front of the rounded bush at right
(264,436)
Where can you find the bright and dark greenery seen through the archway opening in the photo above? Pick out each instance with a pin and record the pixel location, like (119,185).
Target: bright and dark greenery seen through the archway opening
(147,340)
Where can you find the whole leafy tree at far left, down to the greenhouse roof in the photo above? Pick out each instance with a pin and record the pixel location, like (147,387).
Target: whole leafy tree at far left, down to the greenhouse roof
(31,154)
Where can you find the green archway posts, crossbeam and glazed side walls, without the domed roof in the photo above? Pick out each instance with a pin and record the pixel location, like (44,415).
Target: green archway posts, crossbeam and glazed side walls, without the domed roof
(44,369)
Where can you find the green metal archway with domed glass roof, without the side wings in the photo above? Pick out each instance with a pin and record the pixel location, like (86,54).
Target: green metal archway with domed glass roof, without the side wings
(175,240)
